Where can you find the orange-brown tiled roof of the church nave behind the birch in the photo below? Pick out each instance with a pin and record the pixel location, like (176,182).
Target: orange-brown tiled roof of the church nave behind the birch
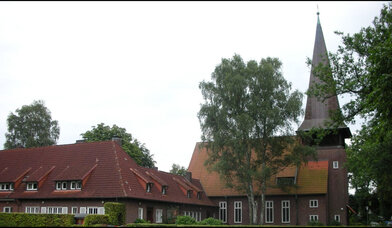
(311,178)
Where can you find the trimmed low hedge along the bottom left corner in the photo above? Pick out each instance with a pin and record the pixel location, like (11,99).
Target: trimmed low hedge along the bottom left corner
(35,220)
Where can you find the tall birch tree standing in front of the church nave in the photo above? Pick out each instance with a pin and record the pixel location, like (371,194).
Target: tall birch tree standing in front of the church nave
(246,107)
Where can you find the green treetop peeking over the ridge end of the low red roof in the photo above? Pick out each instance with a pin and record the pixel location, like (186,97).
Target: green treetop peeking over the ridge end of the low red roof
(135,149)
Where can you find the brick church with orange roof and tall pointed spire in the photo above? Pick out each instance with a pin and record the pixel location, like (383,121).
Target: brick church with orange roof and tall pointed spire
(322,185)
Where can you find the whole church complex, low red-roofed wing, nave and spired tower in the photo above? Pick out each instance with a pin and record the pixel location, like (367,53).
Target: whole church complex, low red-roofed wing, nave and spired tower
(79,178)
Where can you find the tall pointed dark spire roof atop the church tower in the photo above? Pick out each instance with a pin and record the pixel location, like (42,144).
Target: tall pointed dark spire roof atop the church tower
(317,111)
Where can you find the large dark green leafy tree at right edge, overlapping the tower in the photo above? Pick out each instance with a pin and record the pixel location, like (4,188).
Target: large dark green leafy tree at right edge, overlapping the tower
(362,68)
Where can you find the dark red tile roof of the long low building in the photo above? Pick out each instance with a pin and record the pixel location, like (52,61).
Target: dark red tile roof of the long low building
(104,167)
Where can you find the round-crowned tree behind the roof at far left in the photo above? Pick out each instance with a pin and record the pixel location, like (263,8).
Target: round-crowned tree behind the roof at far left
(31,126)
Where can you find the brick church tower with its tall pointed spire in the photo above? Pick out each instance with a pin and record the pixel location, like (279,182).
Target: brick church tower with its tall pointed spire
(332,147)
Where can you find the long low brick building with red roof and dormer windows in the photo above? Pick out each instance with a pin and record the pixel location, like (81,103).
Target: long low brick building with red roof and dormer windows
(79,178)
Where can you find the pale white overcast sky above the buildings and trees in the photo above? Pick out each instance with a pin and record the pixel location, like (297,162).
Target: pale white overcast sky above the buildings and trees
(138,65)
